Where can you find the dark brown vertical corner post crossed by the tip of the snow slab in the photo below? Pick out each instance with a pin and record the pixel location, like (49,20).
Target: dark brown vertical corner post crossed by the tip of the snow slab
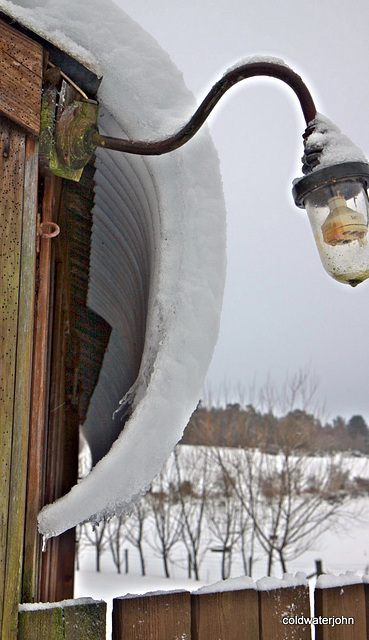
(61,467)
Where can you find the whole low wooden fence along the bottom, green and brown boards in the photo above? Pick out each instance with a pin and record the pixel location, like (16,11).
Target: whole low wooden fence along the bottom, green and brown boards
(276,613)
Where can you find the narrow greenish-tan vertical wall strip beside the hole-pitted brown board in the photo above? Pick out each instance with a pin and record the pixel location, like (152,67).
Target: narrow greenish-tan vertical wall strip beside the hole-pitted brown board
(18,472)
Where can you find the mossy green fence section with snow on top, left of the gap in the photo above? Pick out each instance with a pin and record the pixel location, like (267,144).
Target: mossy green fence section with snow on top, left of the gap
(82,619)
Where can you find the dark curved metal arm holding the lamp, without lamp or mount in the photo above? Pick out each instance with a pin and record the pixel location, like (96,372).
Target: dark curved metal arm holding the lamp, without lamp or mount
(248,70)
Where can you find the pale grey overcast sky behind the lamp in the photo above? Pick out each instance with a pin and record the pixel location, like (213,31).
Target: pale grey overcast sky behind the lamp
(282,312)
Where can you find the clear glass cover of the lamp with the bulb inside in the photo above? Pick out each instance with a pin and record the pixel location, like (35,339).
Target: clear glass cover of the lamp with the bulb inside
(338,214)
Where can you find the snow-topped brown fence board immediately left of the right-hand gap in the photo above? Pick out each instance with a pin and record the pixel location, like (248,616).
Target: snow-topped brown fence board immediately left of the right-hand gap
(280,600)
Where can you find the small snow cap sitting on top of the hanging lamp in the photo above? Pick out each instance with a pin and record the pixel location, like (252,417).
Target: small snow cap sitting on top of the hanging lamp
(336,147)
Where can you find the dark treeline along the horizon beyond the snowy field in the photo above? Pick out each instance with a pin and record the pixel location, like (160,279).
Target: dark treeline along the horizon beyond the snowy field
(237,426)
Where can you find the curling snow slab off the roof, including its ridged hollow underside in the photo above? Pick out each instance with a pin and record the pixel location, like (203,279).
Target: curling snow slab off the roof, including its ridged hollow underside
(157,265)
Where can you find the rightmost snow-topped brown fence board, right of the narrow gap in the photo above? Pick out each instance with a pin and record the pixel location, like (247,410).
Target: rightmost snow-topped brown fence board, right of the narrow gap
(338,600)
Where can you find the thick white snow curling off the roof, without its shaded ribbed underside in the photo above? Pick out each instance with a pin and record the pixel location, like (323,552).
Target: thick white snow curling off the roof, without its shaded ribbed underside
(187,287)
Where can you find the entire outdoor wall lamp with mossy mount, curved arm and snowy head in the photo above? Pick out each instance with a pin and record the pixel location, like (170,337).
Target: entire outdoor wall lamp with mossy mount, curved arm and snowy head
(333,191)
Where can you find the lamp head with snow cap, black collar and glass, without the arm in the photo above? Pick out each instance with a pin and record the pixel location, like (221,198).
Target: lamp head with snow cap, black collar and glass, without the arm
(334,194)
